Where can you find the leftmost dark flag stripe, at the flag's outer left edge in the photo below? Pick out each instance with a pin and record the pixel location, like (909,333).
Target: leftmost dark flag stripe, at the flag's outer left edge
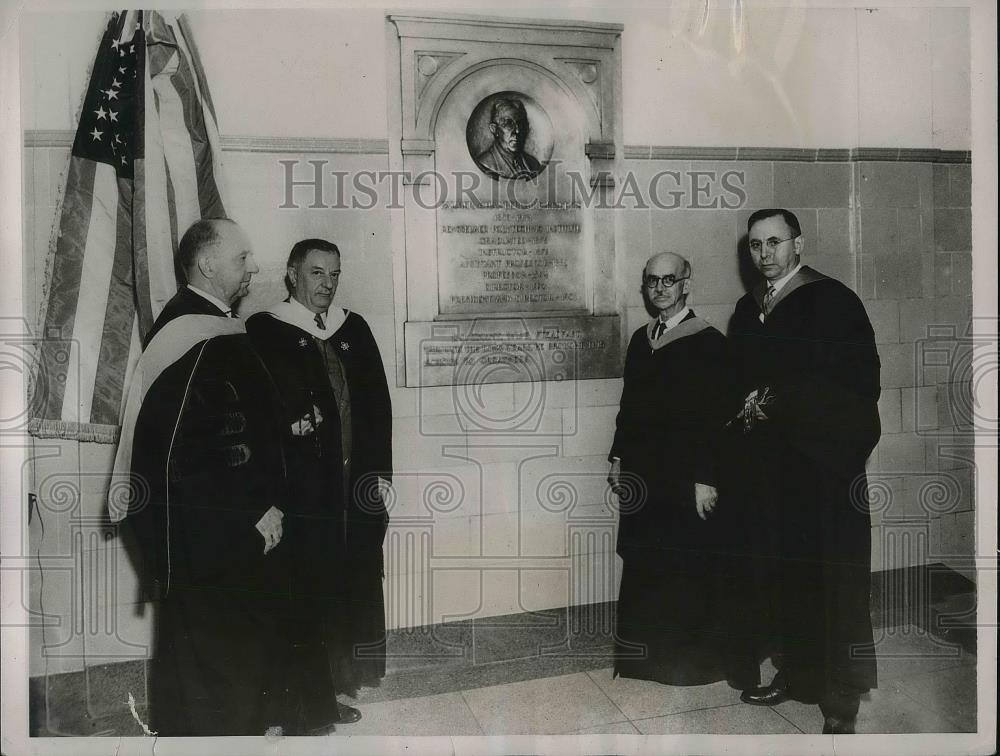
(64,287)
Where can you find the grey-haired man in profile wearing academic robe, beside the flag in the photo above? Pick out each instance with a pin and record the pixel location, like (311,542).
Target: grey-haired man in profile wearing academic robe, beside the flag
(200,444)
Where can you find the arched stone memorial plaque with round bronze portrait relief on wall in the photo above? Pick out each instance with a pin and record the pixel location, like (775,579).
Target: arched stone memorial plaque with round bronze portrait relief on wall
(509,133)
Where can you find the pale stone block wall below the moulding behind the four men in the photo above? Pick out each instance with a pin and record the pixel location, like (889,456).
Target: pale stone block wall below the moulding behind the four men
(499,502)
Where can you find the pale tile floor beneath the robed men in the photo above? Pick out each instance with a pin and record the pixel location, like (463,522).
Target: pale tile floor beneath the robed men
(924,687)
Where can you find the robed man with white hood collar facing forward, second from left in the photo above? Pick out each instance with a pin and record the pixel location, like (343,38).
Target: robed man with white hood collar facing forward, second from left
(338,427)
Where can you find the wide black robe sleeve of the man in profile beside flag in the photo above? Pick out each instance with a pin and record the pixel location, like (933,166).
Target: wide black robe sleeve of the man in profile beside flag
(209,461)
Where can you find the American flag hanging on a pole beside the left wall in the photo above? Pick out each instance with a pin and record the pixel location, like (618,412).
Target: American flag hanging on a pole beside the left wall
(144,166)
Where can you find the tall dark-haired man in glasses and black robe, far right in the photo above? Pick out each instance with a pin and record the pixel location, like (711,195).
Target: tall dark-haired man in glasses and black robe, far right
(810,375)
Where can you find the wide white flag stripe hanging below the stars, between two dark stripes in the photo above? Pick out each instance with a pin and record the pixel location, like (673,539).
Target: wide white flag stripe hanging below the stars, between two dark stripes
(92,301)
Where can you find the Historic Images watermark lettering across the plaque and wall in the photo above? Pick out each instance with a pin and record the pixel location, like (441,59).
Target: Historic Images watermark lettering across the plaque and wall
(315,184)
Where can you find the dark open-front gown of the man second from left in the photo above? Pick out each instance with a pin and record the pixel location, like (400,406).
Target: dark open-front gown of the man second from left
(337,474)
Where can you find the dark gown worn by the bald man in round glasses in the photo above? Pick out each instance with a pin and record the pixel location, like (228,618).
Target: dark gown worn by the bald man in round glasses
(679,585)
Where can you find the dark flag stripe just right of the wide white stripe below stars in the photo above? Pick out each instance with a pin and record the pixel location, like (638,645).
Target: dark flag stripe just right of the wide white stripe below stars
(118,316)
